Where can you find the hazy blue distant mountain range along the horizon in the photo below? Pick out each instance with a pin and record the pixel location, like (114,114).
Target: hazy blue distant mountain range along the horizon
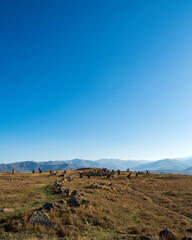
(177,165)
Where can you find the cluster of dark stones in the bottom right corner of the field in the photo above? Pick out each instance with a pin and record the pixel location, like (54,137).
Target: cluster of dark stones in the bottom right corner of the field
(166,234)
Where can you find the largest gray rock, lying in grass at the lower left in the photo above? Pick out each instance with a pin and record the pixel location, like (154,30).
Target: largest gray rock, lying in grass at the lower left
(38,218)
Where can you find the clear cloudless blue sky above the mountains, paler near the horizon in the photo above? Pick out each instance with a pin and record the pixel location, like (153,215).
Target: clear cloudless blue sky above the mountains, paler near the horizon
(95,79)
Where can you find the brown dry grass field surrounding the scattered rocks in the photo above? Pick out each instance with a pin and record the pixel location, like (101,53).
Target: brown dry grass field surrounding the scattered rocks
(142,206)
